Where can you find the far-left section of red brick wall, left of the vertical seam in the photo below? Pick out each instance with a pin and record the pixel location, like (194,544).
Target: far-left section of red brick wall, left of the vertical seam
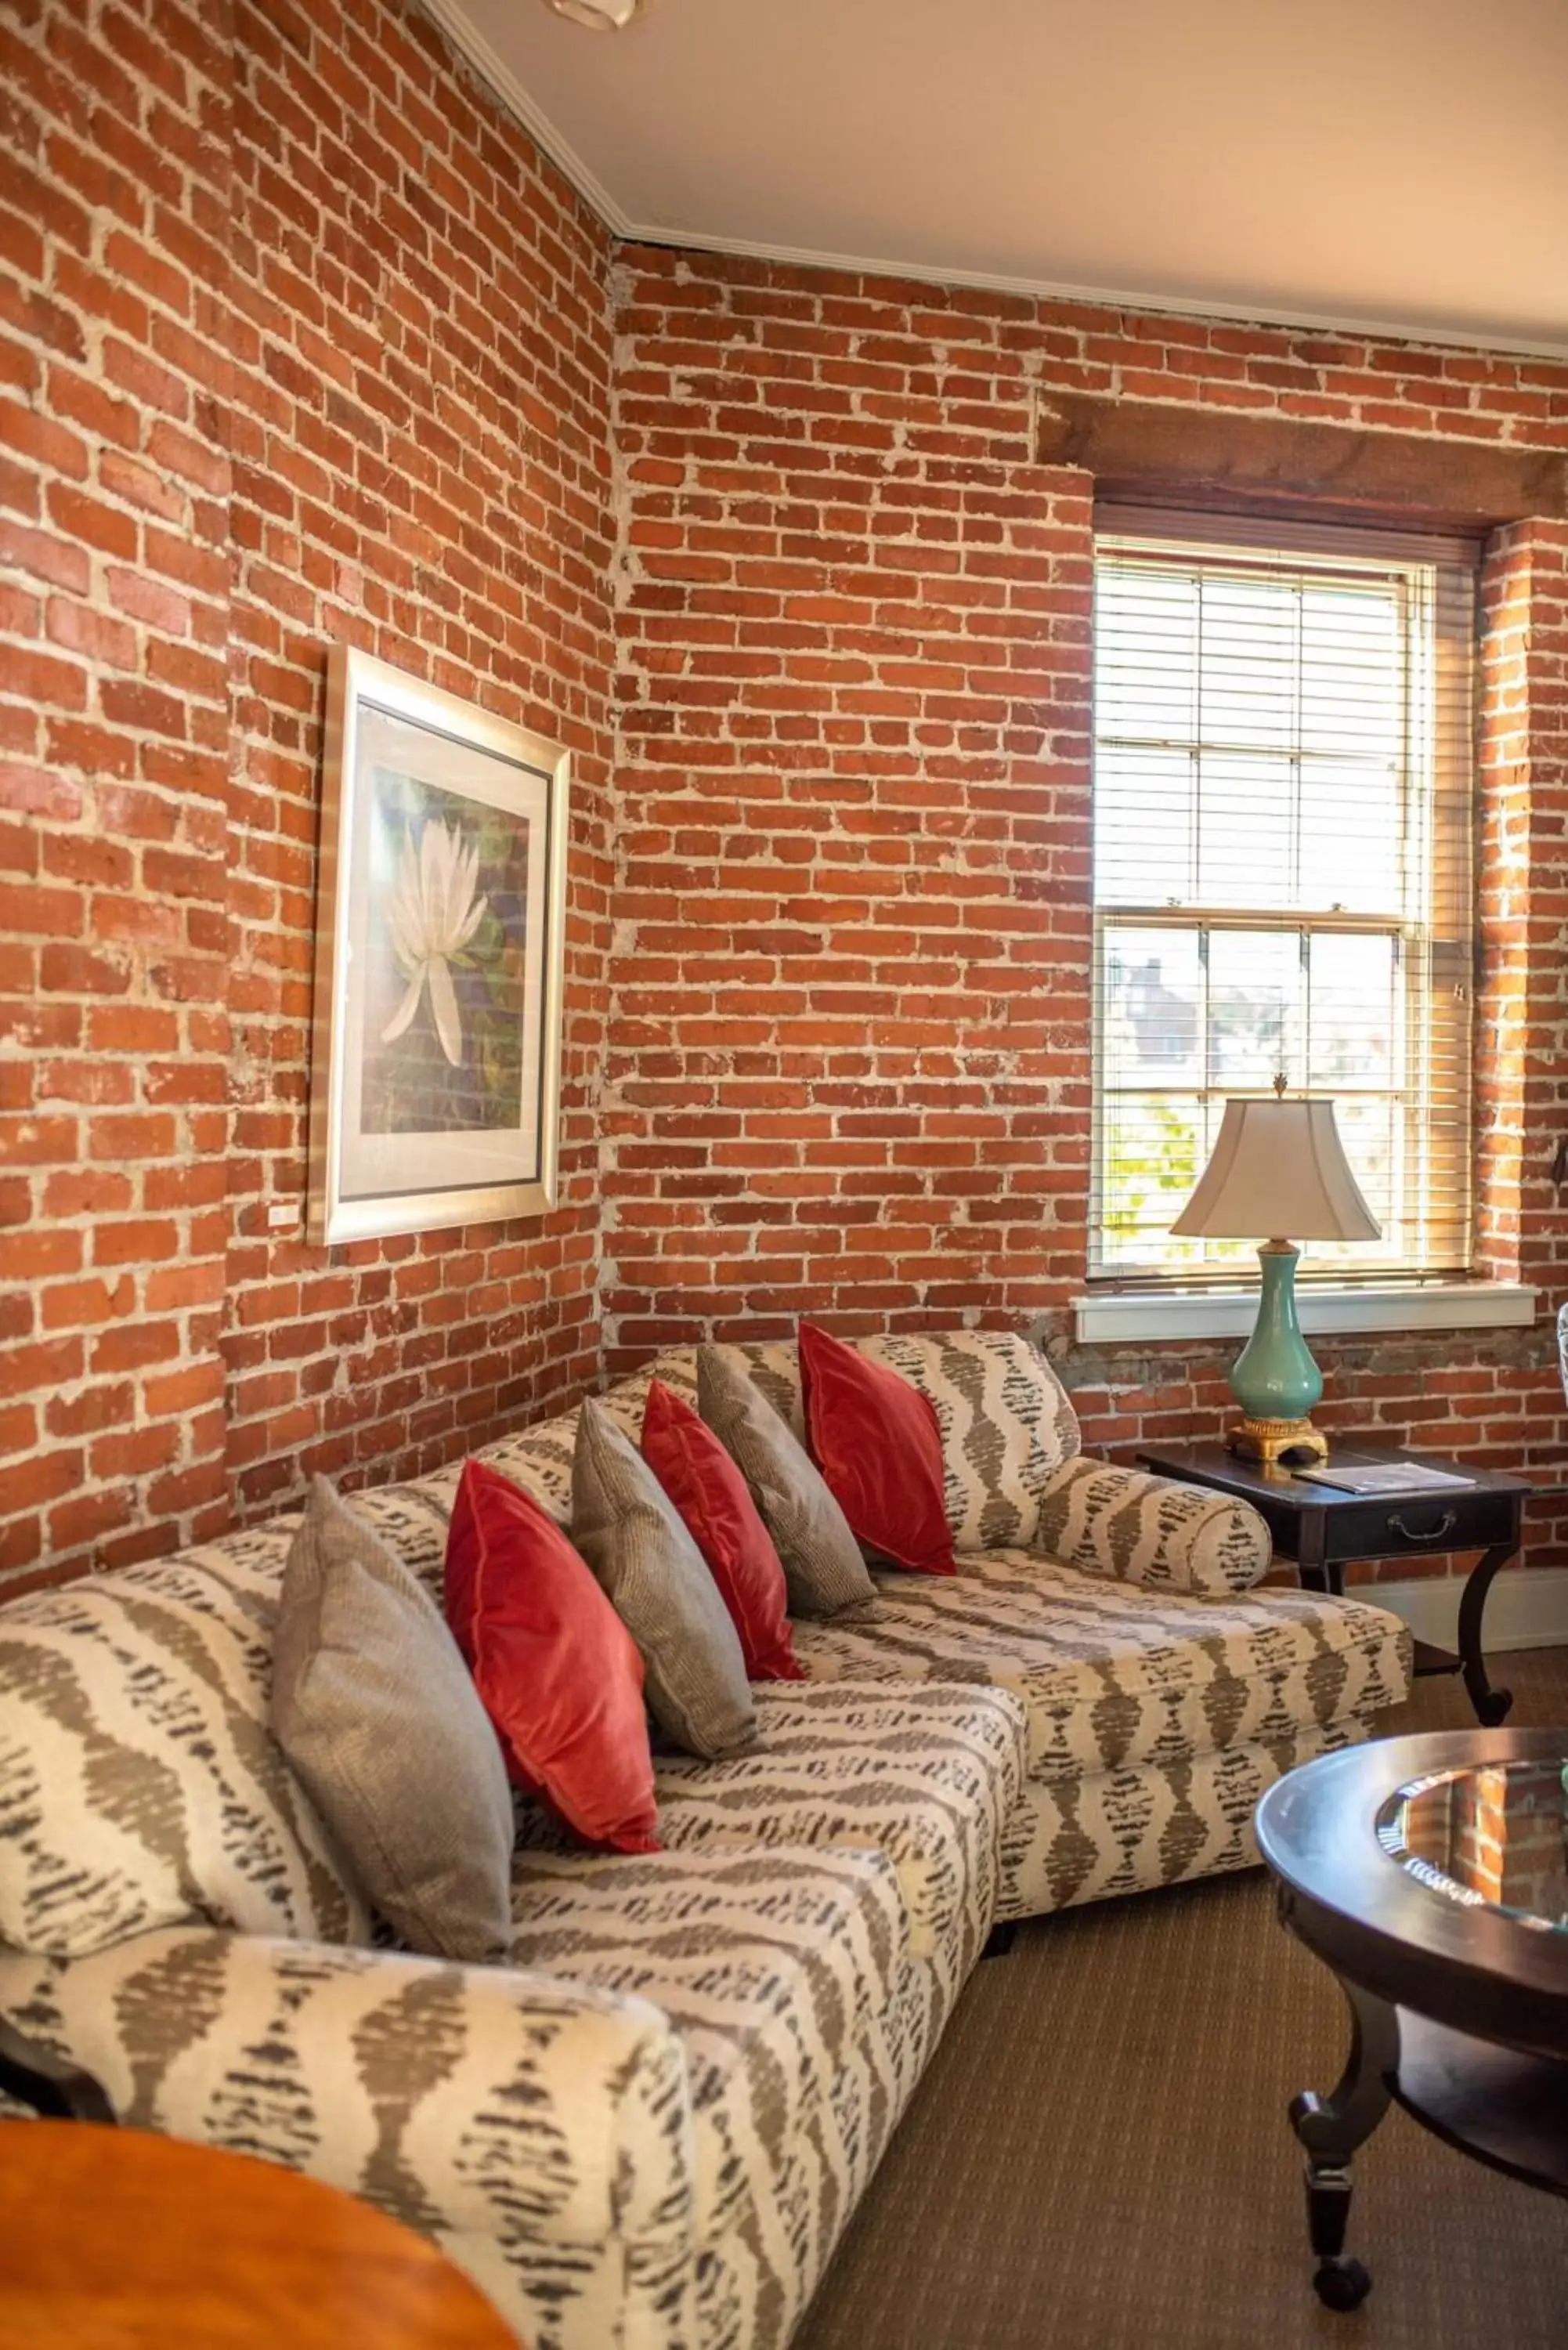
(114,734)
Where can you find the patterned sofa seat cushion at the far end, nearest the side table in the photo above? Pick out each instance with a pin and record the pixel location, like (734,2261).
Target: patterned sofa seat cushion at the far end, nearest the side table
(1113,1674)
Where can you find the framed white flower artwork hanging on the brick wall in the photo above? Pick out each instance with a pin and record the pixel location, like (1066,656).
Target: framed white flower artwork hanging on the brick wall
(438,962)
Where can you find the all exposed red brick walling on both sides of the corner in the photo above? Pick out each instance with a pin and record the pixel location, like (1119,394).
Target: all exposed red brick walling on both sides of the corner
(302,342)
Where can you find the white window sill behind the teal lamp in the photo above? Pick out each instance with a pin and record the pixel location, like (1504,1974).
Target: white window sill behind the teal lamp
(1449,1305)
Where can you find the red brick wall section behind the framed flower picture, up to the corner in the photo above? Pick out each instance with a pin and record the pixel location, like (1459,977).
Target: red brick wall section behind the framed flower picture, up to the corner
(422,469)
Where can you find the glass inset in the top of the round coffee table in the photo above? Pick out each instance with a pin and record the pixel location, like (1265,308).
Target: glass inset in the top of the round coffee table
(1489,1837)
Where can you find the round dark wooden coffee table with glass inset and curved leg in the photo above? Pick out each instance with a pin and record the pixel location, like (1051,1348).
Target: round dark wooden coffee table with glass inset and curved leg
(1433,1876)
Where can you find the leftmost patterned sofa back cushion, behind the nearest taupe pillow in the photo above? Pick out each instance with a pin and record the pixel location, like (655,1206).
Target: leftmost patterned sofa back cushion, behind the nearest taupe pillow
(140,1782)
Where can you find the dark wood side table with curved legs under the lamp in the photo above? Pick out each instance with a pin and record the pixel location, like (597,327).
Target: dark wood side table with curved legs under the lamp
(1325,1531)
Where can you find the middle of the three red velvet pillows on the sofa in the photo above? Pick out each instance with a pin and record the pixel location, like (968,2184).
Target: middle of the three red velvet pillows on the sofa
(723,1519)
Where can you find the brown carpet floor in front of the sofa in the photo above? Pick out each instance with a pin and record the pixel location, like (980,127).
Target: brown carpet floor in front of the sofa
(1099,2156)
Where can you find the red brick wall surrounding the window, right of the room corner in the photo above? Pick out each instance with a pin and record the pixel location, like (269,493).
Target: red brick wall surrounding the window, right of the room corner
(850,1038)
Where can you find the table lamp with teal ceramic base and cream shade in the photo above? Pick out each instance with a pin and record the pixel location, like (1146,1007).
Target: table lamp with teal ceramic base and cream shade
(1278,1167)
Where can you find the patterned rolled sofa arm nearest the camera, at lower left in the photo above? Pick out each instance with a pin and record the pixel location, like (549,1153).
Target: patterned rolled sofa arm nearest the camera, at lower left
(478,2104)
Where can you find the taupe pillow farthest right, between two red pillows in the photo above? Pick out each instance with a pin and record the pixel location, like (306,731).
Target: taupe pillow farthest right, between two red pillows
(822,1559)
